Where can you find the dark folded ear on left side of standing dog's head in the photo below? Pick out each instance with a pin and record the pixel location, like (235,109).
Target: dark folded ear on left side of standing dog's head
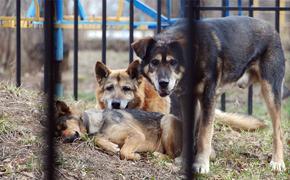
(141,46)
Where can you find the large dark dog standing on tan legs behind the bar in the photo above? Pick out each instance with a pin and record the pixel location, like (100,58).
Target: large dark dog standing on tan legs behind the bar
(228,50)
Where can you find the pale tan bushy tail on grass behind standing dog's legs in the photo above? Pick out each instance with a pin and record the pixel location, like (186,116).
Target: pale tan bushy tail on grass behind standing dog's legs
(239,121)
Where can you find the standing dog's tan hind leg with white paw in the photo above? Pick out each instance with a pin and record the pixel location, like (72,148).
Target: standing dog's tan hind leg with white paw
(274,109)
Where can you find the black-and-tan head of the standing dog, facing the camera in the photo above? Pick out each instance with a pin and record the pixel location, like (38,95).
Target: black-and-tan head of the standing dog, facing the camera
(162,62)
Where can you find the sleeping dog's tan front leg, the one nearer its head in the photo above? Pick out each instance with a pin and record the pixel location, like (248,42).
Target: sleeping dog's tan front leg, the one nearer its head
(104,143)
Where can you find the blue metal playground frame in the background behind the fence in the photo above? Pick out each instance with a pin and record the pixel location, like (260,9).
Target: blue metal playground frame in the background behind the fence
(138,4)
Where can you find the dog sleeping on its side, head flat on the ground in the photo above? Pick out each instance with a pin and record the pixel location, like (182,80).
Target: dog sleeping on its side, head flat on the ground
(123,131)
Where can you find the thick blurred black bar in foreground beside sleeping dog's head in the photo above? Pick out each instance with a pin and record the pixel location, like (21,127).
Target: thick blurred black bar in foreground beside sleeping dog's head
(50,59)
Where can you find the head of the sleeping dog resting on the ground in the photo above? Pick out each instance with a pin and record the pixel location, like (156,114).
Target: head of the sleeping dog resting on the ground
(68,126)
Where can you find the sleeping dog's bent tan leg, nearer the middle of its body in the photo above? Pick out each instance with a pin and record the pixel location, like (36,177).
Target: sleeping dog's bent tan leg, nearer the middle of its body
(131,144)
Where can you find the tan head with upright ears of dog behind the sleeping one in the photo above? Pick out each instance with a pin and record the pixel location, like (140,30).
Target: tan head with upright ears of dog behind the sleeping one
(117,89)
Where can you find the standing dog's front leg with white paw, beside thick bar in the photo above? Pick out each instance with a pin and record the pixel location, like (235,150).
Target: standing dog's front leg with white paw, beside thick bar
(205,132)
